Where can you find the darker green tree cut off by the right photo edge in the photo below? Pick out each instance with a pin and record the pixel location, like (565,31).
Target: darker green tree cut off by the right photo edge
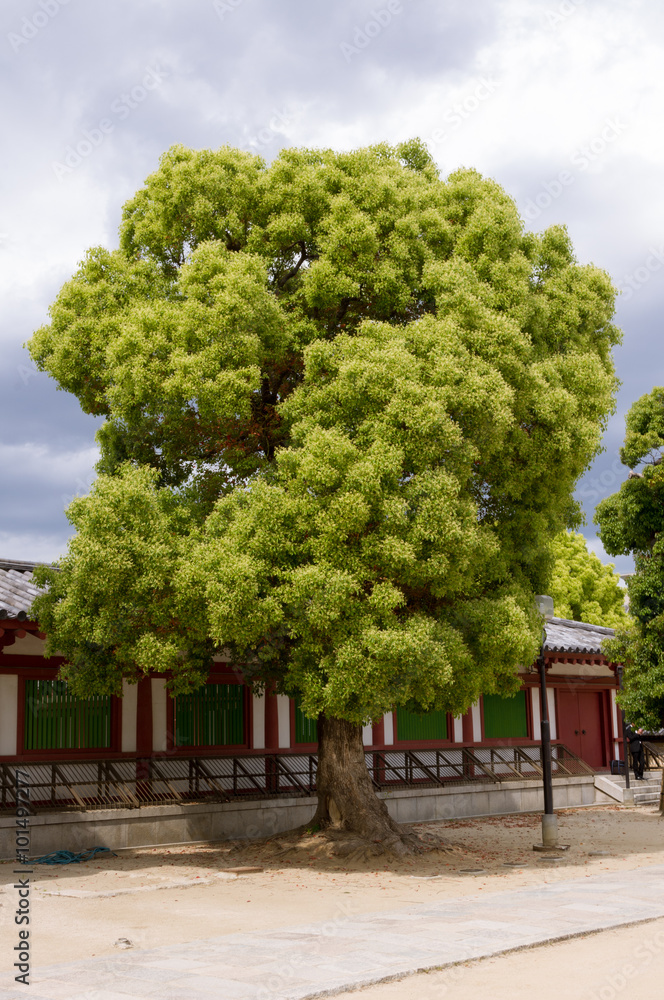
(632,521)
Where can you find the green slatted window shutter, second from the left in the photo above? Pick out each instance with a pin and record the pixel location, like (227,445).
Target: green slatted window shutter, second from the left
(212,716)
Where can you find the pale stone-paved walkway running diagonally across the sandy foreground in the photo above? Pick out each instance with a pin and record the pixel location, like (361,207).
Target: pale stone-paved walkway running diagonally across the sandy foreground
(314,960)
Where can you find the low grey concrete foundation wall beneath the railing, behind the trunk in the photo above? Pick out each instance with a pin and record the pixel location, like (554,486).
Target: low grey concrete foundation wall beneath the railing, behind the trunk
(171,824)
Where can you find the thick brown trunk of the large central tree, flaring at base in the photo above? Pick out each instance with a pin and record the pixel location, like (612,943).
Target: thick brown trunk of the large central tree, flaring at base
(346,797)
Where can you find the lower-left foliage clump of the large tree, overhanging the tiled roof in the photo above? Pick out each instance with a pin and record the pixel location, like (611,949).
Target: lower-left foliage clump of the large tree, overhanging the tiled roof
(112,608)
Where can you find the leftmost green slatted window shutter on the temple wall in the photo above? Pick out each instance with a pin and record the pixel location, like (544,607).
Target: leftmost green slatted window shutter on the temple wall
(56,720)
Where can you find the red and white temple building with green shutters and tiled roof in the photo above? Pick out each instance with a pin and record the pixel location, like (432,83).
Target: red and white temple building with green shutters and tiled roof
(225,745)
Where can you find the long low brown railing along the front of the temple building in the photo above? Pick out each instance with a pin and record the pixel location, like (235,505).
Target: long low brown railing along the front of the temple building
(133,782)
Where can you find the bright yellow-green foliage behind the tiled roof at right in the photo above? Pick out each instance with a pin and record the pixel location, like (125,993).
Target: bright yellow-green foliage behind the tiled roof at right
(582,588)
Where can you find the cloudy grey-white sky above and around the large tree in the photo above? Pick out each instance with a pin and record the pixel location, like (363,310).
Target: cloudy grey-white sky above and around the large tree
(559,100)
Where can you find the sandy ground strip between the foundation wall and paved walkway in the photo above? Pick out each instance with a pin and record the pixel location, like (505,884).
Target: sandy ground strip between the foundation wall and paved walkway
(302,886)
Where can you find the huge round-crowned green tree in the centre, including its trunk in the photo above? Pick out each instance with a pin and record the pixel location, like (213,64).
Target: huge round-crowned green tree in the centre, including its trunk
(346,406)
